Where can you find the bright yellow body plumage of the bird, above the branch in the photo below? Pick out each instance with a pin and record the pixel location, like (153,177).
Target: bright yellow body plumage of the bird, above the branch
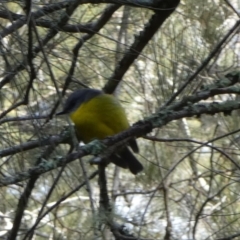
(98,118)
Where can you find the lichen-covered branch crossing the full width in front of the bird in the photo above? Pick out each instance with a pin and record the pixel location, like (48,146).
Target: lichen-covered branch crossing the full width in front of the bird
(96,147)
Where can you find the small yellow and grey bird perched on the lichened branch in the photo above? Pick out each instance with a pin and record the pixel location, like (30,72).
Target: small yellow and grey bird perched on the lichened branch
(97,115)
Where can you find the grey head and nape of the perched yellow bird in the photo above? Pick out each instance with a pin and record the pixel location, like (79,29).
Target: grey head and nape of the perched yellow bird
(77,98)
